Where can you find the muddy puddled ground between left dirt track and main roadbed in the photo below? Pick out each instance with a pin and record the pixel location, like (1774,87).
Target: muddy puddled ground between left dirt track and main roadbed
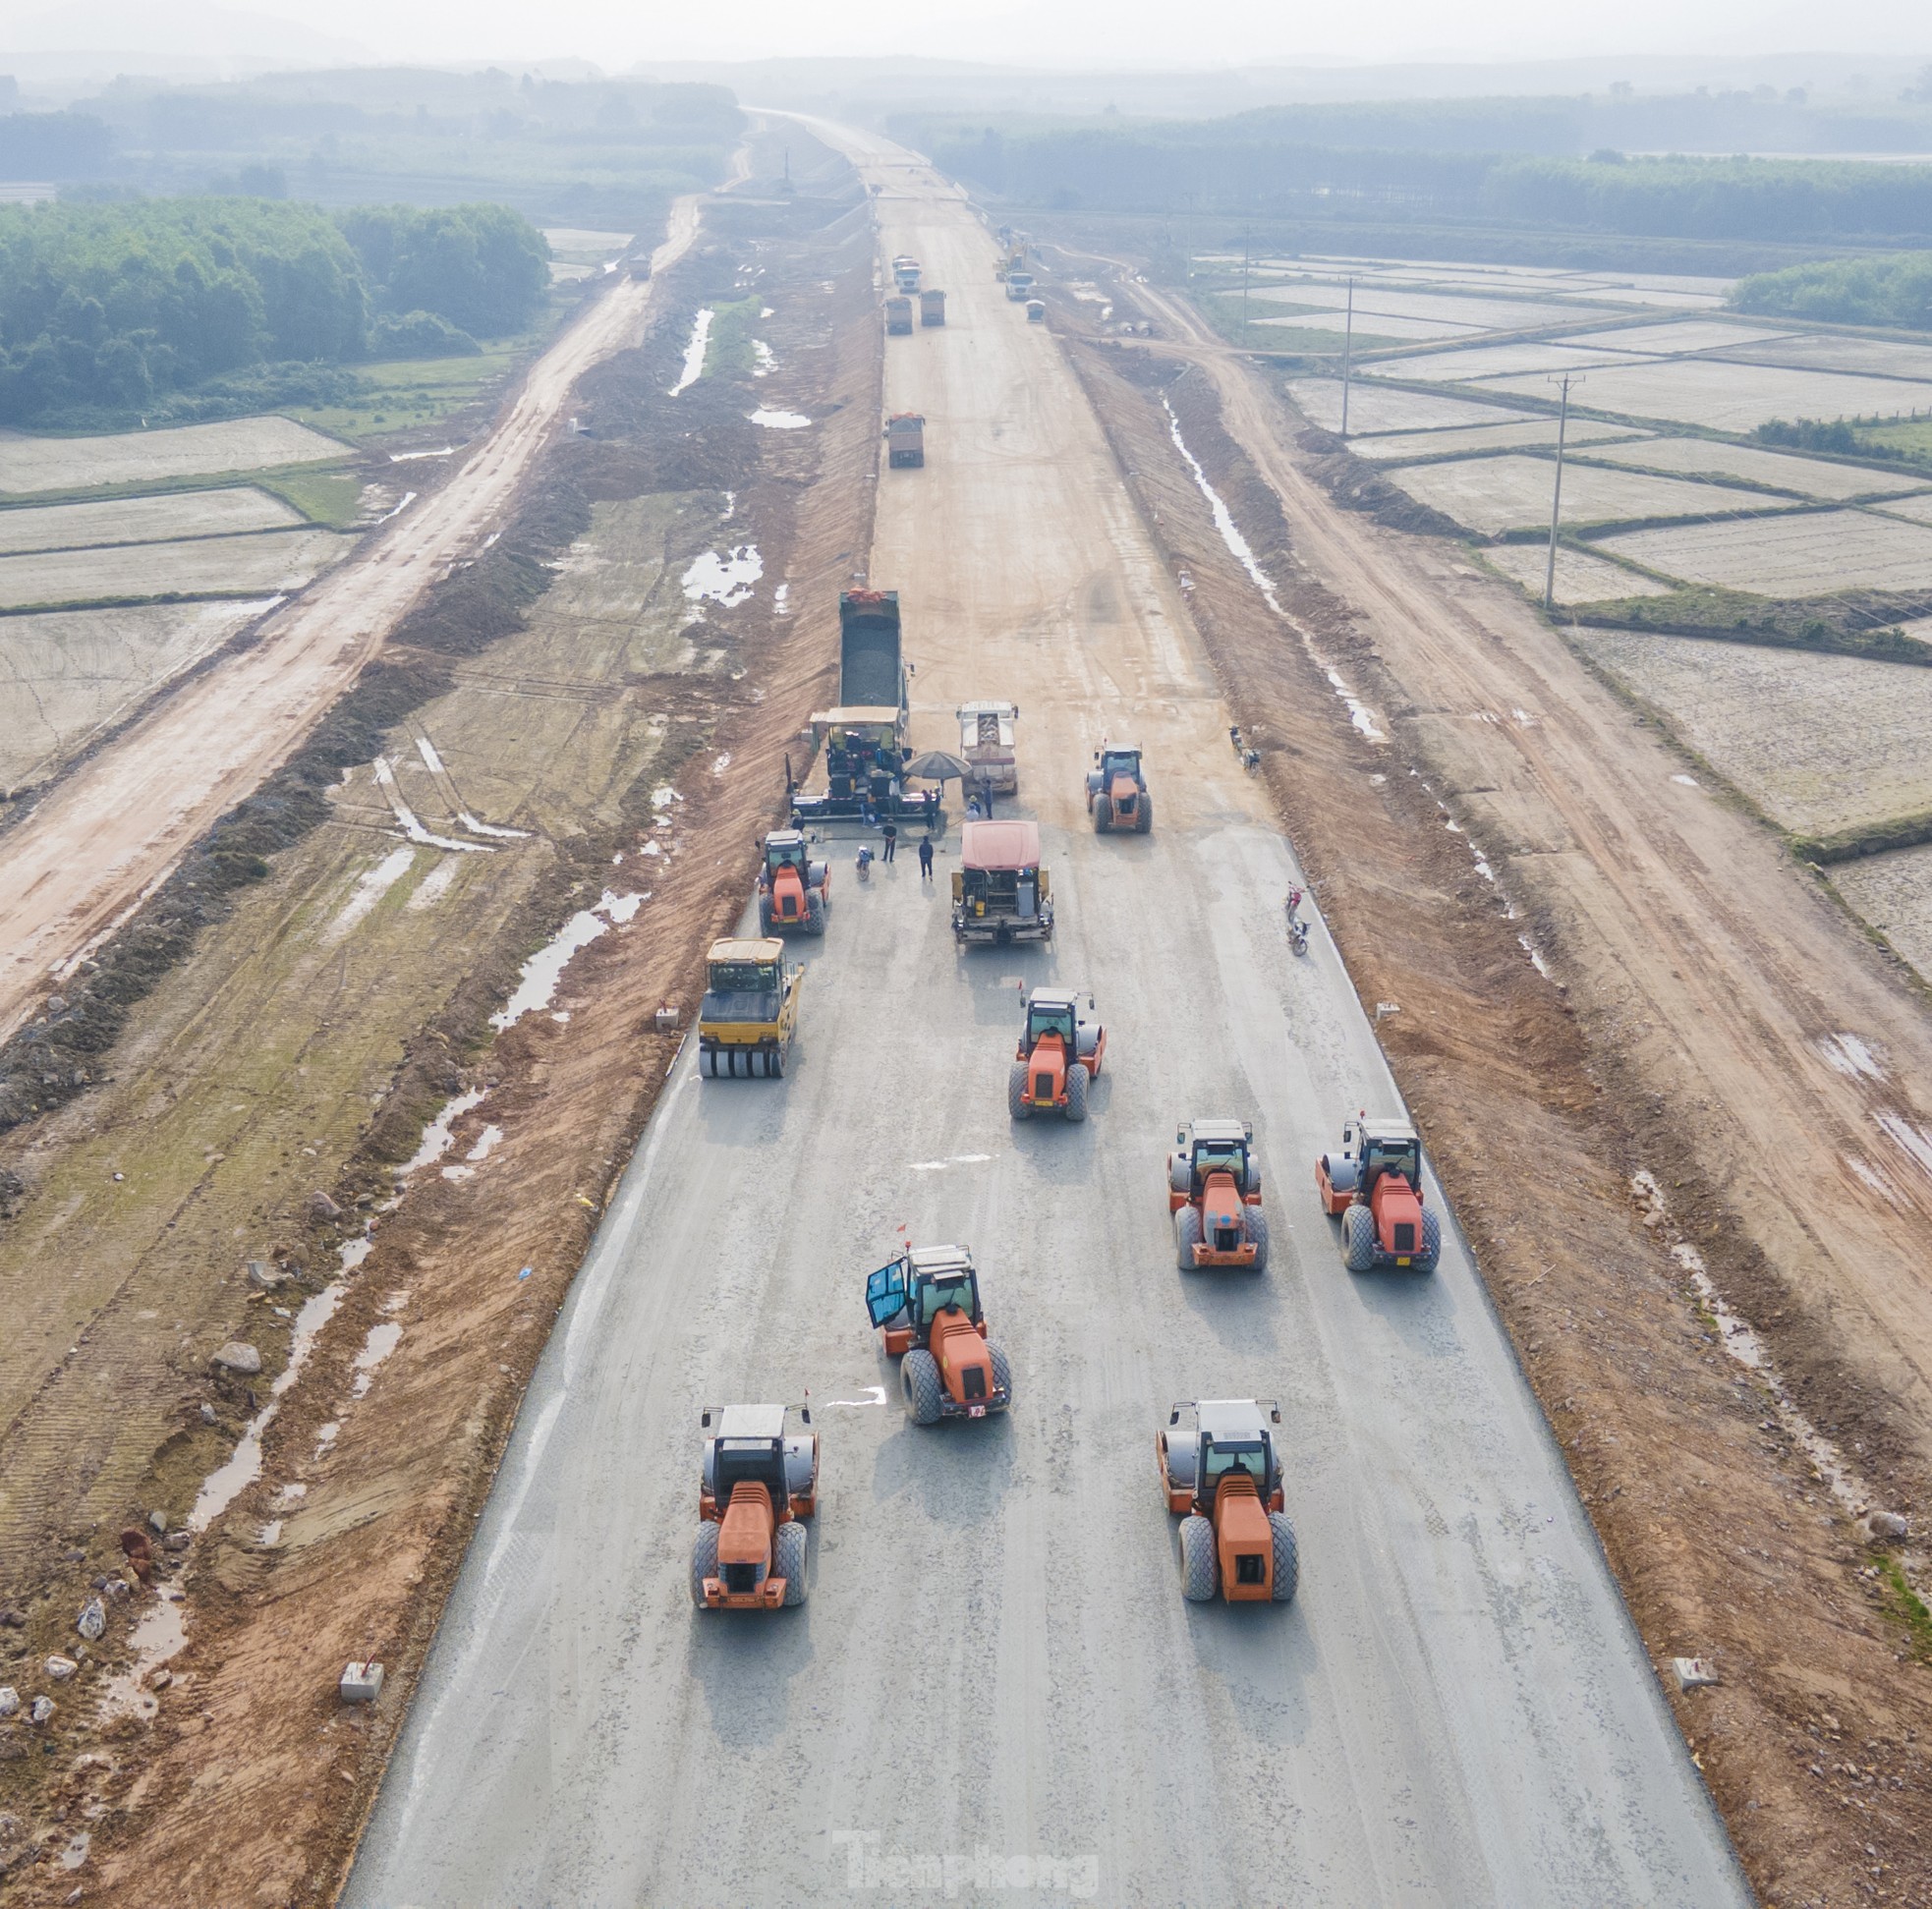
(559,733)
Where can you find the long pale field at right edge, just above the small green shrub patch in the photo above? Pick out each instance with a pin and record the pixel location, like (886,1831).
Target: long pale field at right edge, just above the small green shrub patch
(1728,397)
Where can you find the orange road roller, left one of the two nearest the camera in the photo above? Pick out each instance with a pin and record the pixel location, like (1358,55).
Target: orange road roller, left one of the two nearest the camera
(760,1483)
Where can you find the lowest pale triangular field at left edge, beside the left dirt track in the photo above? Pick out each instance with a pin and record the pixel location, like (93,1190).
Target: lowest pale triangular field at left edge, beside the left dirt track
(69,675)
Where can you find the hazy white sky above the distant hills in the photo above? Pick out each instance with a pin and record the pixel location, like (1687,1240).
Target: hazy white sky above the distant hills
(1050,32)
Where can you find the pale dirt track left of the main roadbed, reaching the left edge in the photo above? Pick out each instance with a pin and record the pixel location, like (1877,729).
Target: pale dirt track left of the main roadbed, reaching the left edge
(113,830)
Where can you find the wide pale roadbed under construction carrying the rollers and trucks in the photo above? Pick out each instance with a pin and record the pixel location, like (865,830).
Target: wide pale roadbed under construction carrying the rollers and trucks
(998,1692)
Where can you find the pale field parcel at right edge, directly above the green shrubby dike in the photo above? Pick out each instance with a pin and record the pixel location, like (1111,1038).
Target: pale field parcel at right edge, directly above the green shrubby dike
(1809,556)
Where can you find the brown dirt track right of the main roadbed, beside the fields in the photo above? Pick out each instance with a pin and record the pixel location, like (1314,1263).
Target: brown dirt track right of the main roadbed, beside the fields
(1786,1050)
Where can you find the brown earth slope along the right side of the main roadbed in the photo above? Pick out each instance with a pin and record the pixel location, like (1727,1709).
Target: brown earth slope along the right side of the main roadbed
(1720,1533)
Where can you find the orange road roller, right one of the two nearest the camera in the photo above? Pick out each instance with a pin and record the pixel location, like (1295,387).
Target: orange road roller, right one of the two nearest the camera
(1222,1473)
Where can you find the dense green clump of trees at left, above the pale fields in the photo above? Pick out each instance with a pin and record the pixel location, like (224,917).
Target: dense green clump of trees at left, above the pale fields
(111,308)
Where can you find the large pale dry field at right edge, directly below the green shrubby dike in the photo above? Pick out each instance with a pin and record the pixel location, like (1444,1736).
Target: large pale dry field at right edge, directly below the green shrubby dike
(1819,743)
